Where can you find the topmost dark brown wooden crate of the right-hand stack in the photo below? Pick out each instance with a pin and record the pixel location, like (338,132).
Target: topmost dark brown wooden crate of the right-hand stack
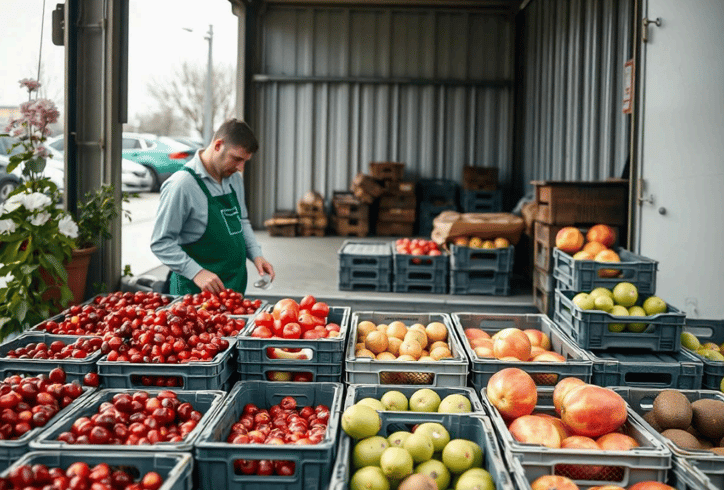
(568,203)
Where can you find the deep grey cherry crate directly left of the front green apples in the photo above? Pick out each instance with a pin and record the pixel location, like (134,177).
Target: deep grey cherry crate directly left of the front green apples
(215,457)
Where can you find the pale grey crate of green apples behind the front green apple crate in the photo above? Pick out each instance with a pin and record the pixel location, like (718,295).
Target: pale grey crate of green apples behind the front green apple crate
(356,393)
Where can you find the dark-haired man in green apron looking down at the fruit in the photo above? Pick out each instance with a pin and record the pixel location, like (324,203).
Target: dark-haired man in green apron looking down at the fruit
(202,231)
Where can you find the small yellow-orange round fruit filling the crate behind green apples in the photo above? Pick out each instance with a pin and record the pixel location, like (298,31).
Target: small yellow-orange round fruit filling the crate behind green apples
(399,342)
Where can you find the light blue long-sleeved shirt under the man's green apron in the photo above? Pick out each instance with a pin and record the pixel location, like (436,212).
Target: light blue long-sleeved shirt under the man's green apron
(183,214)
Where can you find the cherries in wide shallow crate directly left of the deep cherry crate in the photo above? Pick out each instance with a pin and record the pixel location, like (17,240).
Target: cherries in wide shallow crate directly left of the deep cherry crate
(135,419)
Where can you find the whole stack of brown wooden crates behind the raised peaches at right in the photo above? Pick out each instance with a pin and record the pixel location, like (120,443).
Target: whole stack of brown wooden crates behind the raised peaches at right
(561,204)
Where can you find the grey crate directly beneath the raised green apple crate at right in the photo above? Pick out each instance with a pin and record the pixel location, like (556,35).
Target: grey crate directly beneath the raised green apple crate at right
(681,370)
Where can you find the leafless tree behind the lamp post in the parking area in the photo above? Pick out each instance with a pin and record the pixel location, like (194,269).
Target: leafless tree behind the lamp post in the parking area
(184,93)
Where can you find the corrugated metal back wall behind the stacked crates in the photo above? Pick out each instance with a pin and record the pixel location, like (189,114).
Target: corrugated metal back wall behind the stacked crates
(340,87)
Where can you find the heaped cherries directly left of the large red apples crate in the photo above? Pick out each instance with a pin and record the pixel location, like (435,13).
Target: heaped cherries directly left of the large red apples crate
(177,335)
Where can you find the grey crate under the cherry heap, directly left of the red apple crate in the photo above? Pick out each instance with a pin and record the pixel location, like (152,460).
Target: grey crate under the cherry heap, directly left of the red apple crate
(198,375)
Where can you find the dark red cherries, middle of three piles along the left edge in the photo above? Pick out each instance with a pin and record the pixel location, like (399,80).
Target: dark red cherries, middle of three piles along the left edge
(30,402)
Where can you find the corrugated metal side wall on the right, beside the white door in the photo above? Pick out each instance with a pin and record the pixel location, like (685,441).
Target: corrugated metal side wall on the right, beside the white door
(573,126)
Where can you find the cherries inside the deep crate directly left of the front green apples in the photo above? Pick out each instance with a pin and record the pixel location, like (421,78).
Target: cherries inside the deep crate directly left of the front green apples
(281,424)
